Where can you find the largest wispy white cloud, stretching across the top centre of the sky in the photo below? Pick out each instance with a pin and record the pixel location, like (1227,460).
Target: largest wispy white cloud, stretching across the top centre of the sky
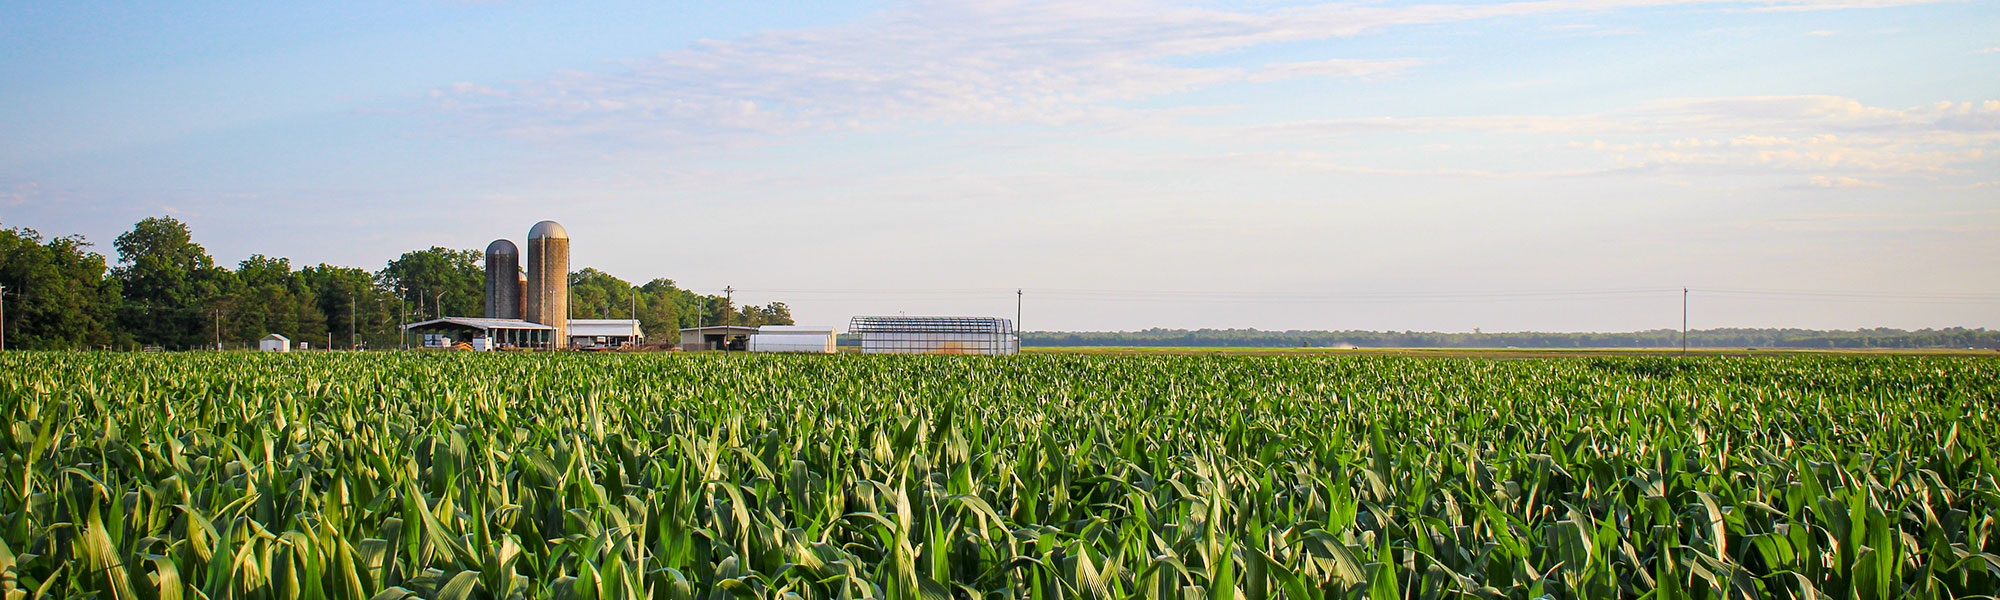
(981,63)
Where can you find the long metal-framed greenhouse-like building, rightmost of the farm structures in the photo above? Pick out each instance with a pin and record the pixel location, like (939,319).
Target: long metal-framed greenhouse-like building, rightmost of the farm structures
(935,335)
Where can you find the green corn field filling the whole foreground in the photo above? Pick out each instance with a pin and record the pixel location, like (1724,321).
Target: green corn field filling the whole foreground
(1031,477)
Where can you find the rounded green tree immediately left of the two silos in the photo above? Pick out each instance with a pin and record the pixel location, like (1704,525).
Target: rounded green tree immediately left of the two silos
(441,281)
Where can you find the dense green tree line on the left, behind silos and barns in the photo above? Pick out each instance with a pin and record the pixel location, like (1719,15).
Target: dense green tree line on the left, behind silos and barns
(165,291)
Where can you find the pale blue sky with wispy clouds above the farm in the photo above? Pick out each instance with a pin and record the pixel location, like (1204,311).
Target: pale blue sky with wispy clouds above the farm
(1549,165)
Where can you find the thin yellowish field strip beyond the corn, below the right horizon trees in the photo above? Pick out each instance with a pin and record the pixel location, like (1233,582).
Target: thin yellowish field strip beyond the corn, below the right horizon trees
(1511,353)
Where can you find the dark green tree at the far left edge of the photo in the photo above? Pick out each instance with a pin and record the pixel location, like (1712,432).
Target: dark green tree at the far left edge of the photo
(57,295)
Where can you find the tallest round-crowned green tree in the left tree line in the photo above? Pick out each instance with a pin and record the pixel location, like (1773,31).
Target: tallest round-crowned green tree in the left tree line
(173,289)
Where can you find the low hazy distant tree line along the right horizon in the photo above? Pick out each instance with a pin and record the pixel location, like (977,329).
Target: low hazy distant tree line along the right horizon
(1649,339)
